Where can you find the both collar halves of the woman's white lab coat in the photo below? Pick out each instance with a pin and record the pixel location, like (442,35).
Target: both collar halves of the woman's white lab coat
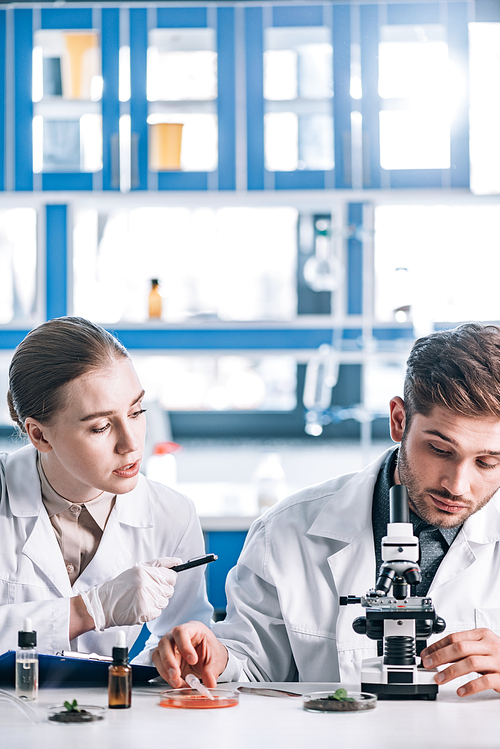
(25,496)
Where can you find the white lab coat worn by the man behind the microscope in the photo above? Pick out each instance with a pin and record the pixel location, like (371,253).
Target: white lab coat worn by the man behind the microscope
(284,621)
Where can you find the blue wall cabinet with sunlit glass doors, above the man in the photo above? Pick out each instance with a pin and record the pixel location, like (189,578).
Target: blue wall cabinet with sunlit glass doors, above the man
(370,96)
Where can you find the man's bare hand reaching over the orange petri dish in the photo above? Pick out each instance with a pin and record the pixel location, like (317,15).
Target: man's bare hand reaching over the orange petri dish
(190,648)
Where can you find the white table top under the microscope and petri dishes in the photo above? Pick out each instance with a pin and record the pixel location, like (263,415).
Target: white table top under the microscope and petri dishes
(261,723)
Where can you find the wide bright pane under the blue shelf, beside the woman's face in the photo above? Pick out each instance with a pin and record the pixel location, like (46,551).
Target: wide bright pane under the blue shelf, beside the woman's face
(219,383)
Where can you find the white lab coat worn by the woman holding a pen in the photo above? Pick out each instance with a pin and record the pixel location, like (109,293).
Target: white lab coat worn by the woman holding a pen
(149,522)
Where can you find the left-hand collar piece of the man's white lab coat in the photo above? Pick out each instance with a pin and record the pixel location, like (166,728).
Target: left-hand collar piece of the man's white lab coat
(349,512)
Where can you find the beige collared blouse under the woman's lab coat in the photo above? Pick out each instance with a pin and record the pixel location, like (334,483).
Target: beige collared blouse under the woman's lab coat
(78,527)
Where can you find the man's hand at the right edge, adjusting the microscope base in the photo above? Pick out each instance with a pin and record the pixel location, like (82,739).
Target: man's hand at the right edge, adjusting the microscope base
(476,650)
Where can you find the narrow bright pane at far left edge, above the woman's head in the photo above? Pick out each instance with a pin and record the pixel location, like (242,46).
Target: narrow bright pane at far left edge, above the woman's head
(18,266)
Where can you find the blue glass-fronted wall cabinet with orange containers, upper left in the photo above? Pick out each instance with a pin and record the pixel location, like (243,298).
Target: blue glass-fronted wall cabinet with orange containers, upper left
(119,99)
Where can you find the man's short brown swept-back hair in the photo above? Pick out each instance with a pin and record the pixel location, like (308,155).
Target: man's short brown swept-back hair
(456,369)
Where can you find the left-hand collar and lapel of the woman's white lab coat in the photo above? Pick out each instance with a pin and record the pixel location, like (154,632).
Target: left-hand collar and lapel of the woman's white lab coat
(41,545)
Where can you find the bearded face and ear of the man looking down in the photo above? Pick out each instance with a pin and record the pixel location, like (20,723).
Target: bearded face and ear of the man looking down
(449,463)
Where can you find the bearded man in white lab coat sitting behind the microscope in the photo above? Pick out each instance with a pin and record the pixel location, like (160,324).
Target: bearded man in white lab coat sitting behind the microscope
(284,622)
